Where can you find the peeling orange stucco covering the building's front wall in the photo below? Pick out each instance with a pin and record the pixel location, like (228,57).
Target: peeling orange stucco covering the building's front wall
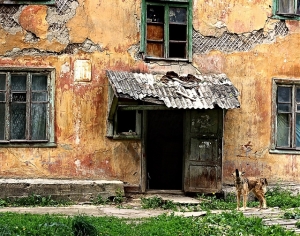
(113,26)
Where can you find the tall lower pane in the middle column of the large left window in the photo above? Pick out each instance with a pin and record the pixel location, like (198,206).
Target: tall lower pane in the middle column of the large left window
(18,121)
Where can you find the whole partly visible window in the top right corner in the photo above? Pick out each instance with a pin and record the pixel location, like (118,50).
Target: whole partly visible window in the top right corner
(286,9)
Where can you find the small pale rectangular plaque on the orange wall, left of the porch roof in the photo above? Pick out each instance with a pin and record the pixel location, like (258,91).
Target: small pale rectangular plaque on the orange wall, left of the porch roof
(82,71)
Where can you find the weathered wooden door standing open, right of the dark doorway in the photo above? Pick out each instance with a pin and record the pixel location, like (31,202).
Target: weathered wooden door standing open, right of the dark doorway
(203,150)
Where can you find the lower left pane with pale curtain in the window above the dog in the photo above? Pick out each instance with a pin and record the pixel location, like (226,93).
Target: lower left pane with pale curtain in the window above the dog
(283,130)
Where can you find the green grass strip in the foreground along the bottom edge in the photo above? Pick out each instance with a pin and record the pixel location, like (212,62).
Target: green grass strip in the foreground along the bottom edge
(233,223)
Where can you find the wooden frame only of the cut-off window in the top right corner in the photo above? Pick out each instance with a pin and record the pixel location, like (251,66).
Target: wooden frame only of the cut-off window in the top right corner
(288,16)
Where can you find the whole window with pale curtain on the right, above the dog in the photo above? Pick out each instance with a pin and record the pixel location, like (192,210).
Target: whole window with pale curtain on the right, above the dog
(286,106)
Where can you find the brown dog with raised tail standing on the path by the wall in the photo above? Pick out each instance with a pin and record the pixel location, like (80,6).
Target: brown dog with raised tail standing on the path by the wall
(245,185)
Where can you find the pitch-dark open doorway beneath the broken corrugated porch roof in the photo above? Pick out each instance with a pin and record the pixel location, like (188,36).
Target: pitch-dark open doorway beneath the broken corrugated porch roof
(164,147)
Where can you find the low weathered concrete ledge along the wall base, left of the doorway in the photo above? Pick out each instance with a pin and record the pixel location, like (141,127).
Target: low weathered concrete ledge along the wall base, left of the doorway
(61,189)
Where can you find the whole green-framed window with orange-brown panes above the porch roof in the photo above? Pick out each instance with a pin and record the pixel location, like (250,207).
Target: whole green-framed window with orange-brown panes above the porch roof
(166,30)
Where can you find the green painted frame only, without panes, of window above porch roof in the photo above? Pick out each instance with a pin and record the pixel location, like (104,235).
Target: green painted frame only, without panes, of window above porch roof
(172,3)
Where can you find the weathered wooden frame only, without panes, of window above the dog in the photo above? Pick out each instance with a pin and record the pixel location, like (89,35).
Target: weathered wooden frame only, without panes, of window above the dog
(292,149)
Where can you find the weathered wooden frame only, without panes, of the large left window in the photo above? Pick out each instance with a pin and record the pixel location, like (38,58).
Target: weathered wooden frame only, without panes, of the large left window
(49,141)
